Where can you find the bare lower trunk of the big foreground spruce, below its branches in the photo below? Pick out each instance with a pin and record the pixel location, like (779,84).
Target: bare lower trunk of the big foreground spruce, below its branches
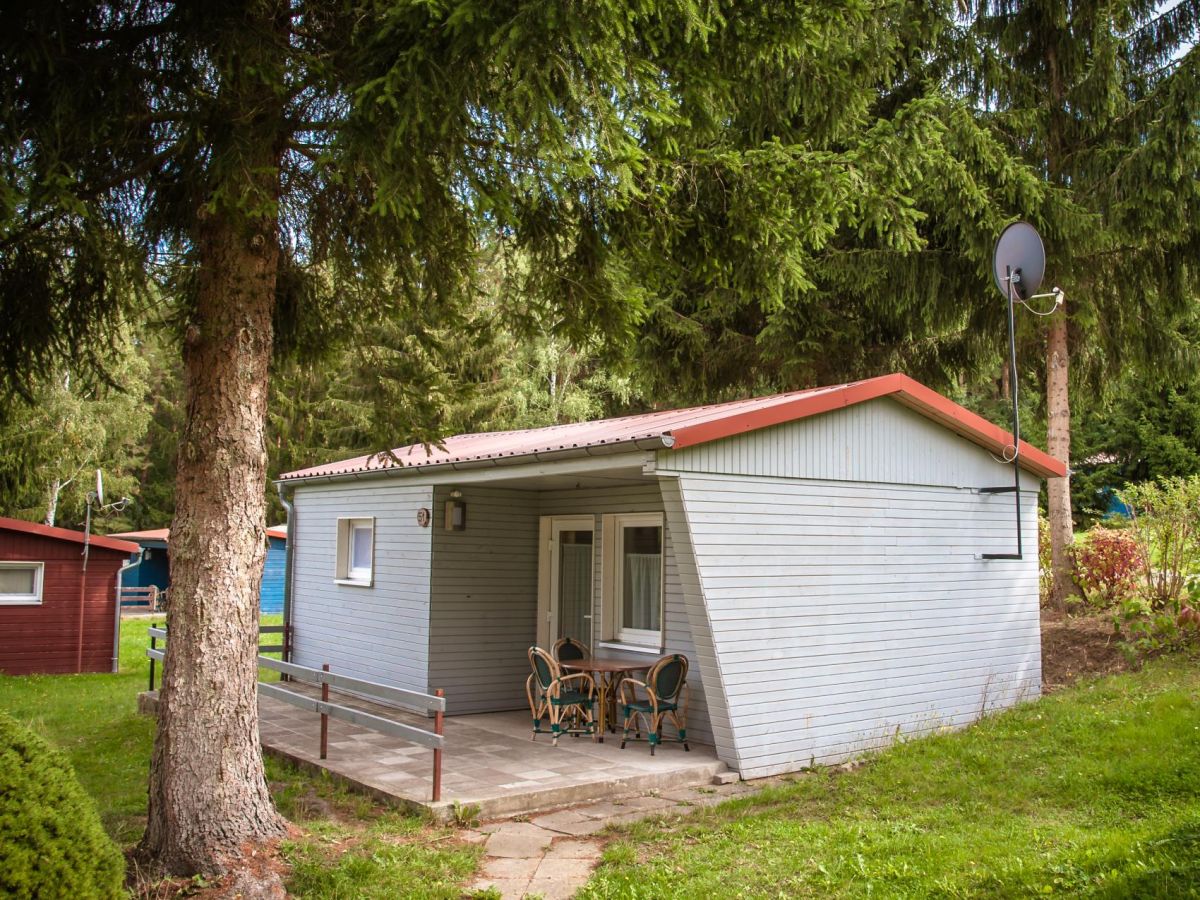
(208,793)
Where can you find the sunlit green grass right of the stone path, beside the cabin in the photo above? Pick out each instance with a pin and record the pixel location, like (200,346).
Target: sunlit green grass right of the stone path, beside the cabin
(1095,791)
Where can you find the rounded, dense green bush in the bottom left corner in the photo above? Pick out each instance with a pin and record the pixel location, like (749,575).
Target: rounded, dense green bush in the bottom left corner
(52,844)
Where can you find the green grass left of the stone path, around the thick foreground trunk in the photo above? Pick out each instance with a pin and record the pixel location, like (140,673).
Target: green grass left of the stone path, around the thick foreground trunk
(351,847)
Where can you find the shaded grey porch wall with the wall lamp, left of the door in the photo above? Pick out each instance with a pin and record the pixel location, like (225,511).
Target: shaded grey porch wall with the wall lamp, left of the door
(484,610)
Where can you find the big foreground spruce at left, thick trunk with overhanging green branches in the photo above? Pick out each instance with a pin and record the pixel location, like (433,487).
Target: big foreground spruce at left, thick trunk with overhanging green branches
(290,170)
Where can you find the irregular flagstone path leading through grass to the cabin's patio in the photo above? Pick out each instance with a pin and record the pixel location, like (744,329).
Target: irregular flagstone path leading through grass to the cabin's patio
(553,855)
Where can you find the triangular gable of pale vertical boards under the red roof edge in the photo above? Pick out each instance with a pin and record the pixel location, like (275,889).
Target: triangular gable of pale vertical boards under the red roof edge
(878,441)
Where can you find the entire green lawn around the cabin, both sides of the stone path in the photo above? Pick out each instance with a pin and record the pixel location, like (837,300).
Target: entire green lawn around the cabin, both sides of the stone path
(1094,791)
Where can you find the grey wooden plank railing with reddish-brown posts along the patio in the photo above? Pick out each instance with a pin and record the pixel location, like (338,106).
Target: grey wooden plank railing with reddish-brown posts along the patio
(387,694)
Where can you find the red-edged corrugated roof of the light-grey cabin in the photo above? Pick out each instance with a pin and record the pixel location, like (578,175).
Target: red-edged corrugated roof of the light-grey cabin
(699,425)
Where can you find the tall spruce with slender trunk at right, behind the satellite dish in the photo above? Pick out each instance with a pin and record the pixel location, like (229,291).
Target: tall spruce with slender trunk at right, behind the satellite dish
(1102,98)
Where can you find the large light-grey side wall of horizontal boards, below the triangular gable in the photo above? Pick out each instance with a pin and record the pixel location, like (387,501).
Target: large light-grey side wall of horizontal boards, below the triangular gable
(847,614)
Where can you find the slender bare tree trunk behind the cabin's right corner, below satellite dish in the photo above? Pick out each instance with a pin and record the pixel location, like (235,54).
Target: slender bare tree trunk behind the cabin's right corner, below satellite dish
(1063,531)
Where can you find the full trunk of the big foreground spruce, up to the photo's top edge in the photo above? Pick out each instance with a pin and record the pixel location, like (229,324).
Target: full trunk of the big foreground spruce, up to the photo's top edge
(208,790)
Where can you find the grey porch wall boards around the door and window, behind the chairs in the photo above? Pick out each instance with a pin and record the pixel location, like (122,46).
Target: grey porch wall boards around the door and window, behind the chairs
(641,499)
